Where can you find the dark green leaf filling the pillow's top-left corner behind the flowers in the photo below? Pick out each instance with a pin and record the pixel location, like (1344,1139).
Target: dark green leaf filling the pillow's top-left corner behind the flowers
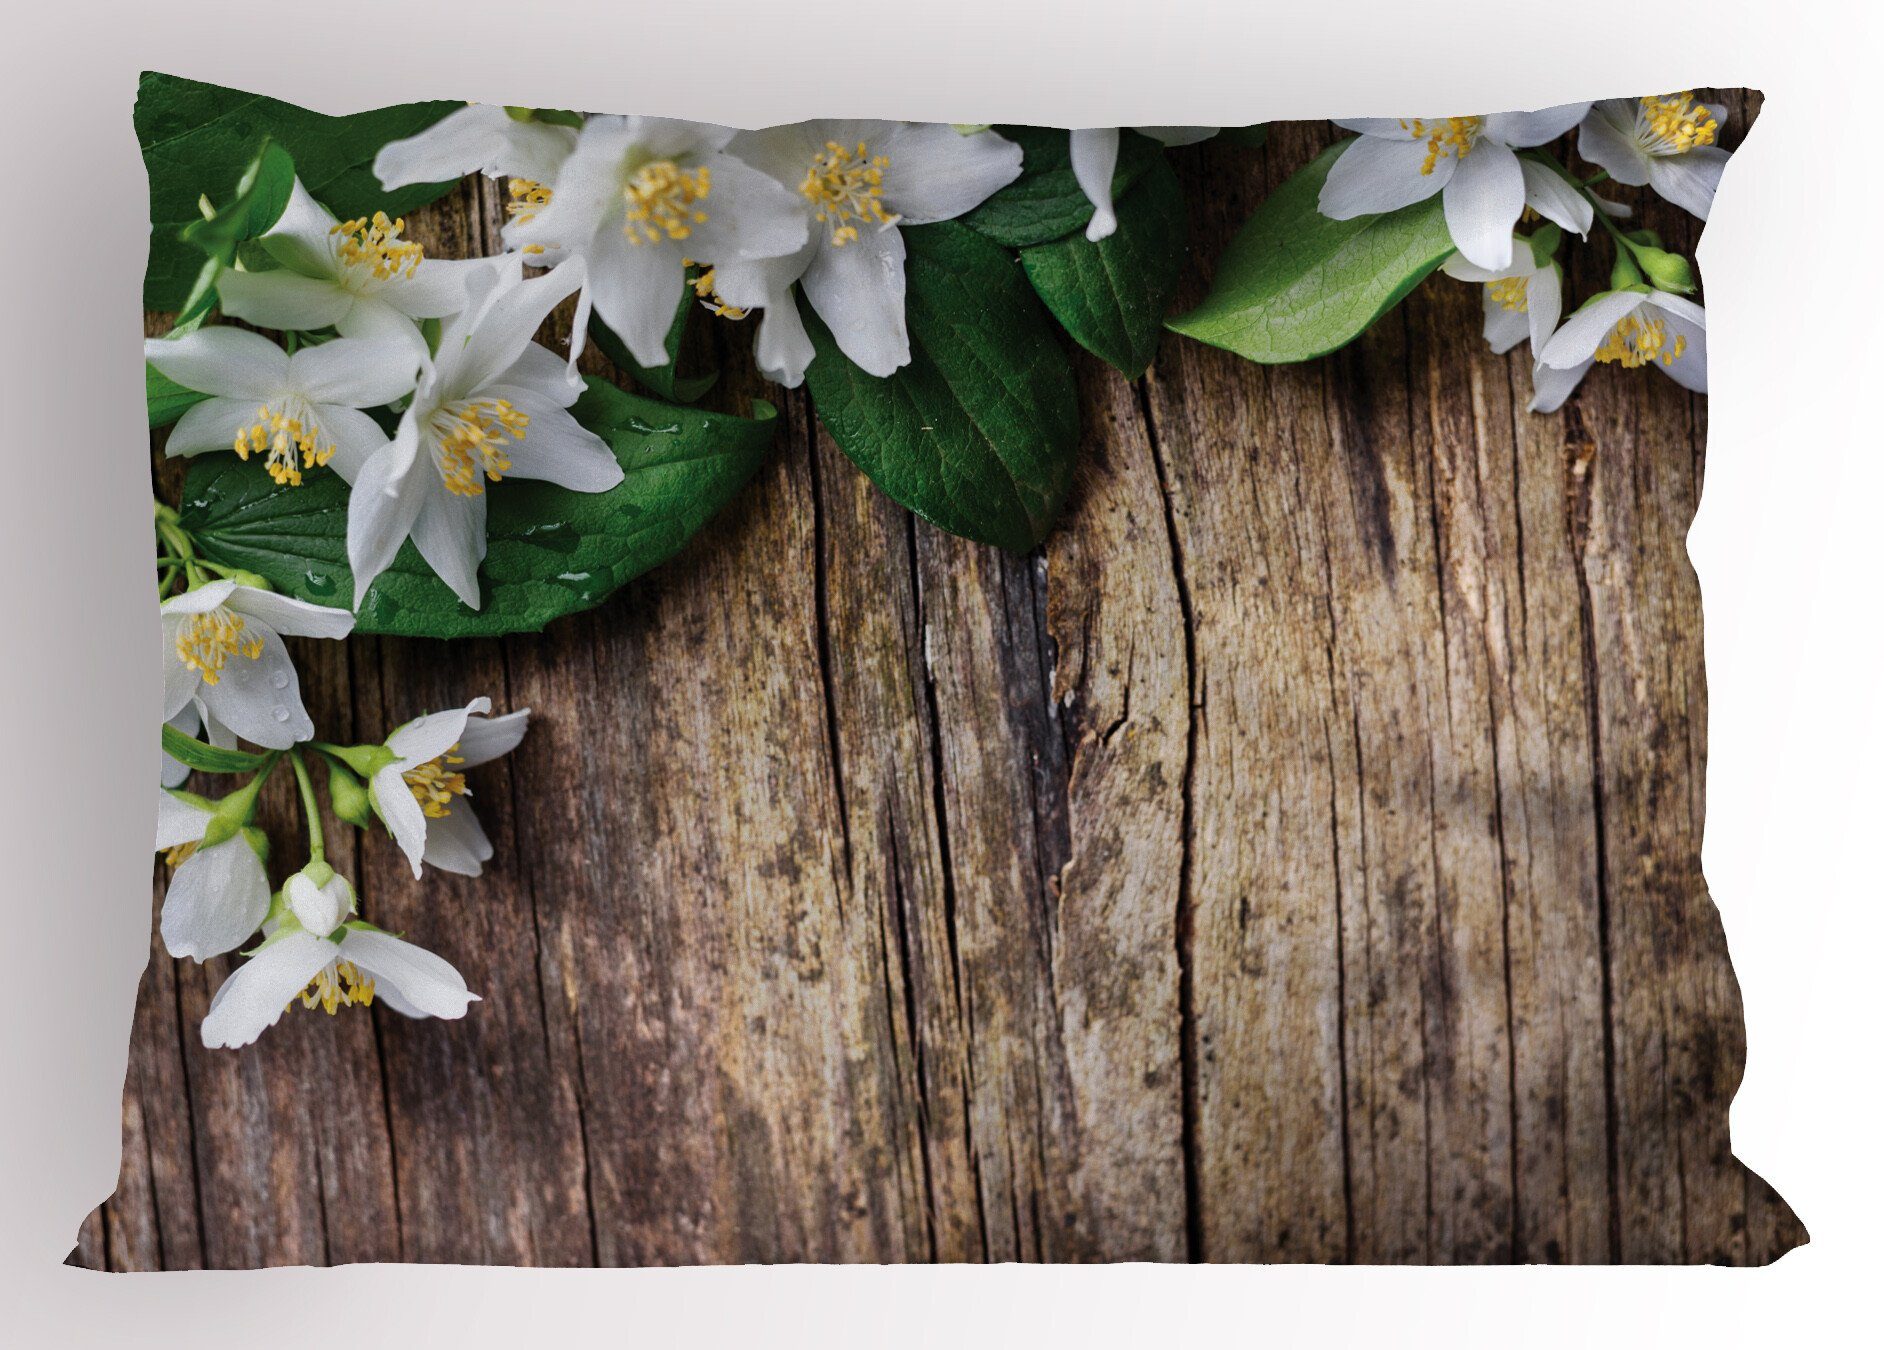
(199,138)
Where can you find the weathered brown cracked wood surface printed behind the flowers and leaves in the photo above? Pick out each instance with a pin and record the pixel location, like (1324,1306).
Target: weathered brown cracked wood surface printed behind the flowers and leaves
(1295,860)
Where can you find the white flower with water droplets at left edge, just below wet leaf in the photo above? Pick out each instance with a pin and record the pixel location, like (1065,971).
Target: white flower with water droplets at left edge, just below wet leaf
(223,651)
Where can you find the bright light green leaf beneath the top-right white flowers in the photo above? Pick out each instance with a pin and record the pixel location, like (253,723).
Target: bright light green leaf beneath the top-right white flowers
(1295,285)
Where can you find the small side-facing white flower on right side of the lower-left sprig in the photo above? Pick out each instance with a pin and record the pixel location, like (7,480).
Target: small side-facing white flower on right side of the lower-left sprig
(419,794)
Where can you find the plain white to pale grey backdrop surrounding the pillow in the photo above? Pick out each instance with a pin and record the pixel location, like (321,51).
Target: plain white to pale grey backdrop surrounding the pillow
(1785,545)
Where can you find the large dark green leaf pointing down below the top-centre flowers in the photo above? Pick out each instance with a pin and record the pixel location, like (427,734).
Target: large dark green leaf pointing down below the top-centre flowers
(979,432)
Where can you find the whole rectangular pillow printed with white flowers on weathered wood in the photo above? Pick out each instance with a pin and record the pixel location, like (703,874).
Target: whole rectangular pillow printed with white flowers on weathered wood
(877,692)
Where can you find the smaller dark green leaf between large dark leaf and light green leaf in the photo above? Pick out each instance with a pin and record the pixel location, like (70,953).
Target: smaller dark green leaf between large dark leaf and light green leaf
(1113,297)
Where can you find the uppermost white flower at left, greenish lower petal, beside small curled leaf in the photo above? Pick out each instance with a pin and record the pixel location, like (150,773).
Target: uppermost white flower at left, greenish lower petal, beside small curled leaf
(355,276)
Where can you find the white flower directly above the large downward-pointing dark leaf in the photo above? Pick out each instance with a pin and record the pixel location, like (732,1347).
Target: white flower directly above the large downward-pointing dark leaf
(854,184)
